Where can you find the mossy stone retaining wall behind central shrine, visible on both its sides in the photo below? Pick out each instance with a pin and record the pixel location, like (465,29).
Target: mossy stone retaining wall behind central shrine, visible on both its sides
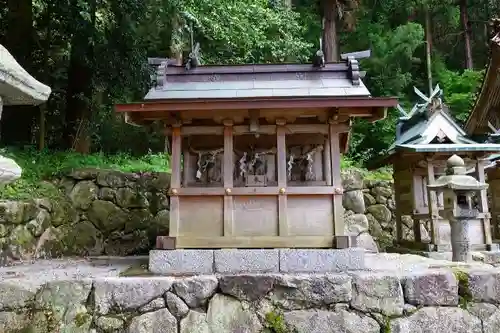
(113,213)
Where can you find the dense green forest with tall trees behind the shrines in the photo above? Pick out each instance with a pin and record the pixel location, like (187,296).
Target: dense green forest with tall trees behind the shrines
(93,53)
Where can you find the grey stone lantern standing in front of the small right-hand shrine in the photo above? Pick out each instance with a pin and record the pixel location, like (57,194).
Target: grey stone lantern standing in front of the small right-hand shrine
(458,190)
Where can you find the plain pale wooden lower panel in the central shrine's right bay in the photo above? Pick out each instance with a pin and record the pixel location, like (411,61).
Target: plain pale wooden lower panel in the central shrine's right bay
(310,215)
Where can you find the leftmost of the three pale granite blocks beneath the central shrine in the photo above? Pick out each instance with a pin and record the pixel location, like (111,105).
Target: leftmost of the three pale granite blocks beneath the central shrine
(176,262)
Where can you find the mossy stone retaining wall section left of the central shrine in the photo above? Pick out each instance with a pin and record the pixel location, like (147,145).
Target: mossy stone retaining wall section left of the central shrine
(103,212)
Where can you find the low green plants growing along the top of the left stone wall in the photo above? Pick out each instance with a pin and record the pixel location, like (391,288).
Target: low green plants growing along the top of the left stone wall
(39,168)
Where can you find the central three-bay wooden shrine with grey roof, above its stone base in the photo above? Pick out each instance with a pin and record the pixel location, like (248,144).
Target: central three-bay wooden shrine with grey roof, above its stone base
(255,151)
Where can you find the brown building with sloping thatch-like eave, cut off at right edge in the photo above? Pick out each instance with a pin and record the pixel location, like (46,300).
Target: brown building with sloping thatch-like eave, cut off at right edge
(484,121)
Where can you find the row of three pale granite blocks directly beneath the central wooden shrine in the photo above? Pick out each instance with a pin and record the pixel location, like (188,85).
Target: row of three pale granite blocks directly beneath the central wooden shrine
(234,261)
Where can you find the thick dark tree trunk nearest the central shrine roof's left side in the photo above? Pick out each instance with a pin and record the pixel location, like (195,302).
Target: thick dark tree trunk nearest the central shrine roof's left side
(79,91)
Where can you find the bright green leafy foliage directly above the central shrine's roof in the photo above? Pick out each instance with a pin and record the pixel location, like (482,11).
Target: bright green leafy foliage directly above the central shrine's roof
(248,32)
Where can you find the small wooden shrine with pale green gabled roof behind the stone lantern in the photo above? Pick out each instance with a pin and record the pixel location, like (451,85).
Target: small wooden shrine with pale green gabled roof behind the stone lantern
(426,137)
